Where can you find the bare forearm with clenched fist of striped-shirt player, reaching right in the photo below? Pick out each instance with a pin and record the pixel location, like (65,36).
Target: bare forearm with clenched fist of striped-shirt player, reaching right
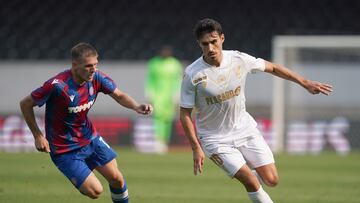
(128,102)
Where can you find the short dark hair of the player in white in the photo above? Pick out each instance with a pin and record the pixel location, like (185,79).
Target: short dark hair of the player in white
(207,25)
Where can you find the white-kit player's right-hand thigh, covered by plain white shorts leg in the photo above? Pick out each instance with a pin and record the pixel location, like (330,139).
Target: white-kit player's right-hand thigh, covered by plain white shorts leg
(256,152)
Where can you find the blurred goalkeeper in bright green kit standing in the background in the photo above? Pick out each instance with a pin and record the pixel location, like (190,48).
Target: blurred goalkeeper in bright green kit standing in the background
(162,87)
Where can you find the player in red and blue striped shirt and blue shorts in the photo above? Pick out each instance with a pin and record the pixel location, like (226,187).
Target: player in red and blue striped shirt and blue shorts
(71,139)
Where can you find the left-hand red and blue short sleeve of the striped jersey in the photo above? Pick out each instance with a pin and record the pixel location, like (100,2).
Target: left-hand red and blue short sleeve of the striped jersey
(42,94)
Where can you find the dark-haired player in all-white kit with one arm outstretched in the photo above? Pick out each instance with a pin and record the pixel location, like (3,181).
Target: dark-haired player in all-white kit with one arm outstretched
(214,84)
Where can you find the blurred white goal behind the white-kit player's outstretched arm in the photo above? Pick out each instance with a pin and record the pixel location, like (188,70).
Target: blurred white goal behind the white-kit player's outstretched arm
(305,123)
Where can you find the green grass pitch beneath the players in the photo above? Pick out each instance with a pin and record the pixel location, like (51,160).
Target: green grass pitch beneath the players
(326,178)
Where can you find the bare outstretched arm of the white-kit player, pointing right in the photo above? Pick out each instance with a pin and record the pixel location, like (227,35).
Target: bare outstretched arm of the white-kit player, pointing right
(314,87)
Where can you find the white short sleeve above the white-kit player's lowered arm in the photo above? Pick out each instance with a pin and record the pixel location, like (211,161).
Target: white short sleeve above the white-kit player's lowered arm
(187,95)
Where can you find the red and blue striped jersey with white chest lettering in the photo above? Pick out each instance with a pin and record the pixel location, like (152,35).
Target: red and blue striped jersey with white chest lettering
(67,125)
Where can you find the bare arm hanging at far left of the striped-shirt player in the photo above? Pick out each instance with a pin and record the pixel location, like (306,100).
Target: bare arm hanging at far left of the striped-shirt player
(27,108)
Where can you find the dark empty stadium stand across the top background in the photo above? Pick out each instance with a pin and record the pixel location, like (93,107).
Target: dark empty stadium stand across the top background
(135,29)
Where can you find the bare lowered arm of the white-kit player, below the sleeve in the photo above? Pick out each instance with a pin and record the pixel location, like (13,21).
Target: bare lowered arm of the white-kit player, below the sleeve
(198,154)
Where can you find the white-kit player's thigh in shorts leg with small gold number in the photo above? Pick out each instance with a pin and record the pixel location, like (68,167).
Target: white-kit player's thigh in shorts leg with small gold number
(227,158)
